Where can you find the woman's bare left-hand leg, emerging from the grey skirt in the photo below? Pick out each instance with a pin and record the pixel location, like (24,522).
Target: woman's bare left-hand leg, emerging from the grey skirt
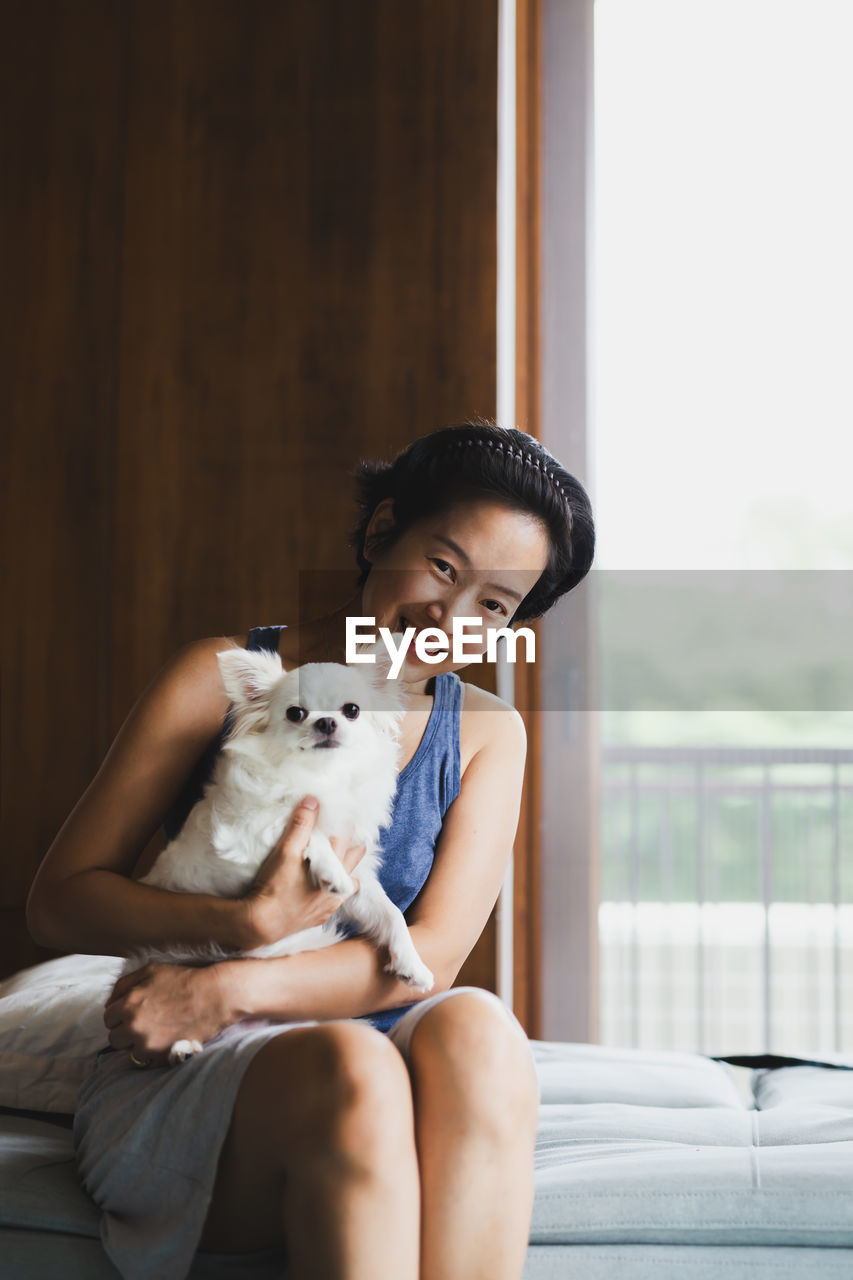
(321,1153)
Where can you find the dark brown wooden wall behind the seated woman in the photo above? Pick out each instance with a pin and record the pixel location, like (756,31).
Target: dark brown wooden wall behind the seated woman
(247,245)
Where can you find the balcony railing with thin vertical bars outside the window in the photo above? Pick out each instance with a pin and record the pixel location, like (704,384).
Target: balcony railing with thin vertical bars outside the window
(727,899)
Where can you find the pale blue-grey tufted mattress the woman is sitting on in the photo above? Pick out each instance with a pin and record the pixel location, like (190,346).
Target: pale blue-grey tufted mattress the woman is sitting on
(649,1165)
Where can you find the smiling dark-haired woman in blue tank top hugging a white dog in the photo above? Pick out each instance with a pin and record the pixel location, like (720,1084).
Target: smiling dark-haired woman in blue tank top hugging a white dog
(407,1154)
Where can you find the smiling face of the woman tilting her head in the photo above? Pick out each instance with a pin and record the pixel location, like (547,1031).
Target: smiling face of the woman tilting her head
(476,560)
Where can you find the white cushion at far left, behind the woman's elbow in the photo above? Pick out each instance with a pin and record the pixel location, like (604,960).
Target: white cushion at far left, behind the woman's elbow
(52,1026)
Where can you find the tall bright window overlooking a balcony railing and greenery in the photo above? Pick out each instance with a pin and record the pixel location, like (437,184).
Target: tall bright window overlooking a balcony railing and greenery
(723,449)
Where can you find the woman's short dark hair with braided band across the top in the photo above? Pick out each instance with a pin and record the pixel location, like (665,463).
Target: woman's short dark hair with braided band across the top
(482,460)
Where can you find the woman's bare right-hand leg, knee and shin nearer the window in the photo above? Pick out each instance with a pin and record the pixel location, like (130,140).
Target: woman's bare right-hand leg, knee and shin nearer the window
(477,1104)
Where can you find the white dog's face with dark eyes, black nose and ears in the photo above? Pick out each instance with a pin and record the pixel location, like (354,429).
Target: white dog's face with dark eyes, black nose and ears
(313,711)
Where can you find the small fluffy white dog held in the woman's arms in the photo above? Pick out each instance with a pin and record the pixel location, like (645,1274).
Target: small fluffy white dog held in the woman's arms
(322,730)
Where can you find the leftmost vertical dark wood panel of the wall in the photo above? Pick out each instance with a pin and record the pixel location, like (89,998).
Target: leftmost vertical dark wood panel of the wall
(62,121)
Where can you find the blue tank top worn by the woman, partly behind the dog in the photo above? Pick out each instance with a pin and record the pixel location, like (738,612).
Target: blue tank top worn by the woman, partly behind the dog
(426,789)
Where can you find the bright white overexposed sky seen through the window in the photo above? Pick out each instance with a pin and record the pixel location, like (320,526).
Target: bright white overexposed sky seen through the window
(724,266)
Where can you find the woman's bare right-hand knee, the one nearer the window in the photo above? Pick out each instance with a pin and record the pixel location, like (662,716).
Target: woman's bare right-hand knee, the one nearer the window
(480,1059)
